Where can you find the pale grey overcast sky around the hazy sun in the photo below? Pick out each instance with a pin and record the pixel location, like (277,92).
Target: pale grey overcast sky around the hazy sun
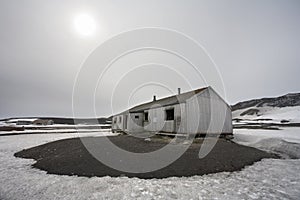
(255,45)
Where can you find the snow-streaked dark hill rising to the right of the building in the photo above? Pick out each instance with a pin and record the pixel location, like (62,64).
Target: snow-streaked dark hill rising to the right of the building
(283,110)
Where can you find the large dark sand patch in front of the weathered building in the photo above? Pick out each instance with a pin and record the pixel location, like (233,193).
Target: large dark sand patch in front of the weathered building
(70,157)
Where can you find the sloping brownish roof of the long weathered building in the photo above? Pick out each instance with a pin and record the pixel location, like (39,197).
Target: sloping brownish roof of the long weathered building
(175,99)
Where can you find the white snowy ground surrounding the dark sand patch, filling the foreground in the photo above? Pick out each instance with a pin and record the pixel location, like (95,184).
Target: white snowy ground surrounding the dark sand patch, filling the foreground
(267,179)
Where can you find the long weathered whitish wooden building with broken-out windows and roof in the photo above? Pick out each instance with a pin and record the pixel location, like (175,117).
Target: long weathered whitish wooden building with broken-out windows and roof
(200,111)
